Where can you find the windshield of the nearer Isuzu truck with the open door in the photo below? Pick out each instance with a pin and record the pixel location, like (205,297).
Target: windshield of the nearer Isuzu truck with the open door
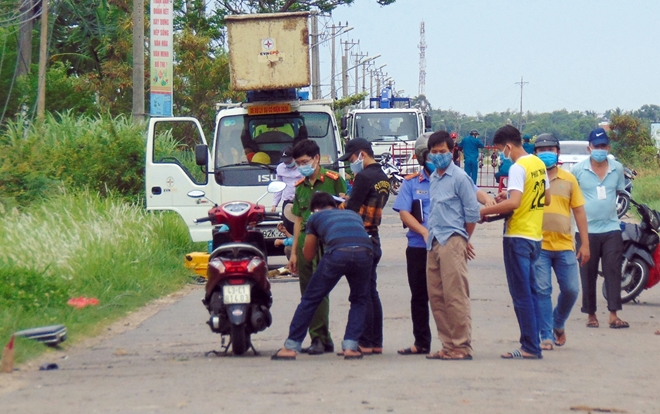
(261,139)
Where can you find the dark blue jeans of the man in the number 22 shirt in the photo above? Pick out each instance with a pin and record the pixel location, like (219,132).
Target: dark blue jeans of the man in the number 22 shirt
(520,257)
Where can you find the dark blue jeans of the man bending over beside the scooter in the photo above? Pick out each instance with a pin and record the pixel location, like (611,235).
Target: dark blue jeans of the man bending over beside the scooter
(355,264)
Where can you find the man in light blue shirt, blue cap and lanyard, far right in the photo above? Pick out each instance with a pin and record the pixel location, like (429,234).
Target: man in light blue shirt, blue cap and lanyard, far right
(600,179)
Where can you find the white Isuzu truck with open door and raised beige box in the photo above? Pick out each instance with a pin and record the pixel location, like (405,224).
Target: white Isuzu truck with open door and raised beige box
(269,60)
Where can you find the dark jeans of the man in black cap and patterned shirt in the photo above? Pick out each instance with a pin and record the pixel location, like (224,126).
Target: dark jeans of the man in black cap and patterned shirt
(372,336)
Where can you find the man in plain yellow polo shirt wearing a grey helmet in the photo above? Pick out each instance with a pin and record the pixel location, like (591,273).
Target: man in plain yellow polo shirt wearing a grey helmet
(557,249)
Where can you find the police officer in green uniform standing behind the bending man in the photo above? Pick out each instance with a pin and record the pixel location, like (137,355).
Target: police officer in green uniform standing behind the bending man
(308,159)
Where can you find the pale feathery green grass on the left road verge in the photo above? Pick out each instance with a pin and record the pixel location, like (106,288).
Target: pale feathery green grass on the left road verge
(84,245)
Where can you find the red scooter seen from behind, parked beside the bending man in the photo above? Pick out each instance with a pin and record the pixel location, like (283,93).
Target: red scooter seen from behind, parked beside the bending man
(238,295)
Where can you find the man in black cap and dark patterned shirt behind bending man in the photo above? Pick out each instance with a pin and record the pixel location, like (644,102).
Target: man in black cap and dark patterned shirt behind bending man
(369,195)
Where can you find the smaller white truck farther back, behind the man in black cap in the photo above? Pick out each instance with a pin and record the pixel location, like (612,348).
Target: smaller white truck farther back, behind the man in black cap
(392,126)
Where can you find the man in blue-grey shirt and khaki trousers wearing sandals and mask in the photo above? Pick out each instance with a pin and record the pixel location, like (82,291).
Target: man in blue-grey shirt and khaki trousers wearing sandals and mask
(454,214)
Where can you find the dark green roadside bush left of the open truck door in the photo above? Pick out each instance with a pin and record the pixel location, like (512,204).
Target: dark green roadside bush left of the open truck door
(100,153)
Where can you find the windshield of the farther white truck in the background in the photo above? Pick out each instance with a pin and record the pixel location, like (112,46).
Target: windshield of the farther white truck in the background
(401,126)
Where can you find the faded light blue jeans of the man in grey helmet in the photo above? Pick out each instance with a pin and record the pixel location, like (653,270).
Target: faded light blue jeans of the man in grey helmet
(566,269)
